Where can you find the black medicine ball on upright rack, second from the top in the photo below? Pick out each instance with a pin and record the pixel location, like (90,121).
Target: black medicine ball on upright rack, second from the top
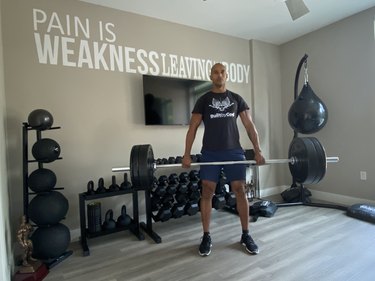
(46,150)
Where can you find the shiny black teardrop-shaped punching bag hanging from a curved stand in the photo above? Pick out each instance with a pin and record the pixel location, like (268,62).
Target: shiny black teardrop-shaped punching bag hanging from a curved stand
(308,114)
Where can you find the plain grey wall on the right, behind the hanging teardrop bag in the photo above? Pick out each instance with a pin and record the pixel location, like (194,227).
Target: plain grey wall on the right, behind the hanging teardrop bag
(341,68)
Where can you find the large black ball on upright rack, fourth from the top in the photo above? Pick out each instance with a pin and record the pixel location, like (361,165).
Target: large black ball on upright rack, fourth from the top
(48,208)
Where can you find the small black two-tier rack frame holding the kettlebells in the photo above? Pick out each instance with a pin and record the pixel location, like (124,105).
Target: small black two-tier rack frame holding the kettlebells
(85,234)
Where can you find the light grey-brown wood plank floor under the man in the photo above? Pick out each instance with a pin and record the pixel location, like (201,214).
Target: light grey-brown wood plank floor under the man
(298,243)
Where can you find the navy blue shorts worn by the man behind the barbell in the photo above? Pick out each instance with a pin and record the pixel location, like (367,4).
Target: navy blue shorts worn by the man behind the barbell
(232,172)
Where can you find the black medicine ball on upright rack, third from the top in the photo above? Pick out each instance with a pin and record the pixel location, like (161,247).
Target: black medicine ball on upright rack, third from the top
(42,180)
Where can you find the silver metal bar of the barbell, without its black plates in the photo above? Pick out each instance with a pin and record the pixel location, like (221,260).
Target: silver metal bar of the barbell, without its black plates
(292,161)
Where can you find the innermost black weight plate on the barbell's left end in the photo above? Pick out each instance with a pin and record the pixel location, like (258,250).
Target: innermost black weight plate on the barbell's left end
(146,166)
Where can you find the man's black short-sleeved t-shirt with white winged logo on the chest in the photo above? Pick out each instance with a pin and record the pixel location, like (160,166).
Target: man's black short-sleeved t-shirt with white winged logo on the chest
(219,113)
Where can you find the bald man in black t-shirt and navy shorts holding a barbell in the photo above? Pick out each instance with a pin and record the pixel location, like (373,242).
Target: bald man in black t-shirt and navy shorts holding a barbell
(219,109)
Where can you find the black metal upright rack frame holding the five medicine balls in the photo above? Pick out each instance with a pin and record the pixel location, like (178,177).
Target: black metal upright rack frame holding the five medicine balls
(26,193)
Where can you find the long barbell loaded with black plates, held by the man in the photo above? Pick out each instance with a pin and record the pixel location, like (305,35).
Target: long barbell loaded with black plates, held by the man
(307,162)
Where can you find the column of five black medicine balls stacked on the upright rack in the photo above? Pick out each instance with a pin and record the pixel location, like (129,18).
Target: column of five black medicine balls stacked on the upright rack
(48,207)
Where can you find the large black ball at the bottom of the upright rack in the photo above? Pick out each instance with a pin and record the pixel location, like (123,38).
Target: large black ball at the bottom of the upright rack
(50,242)
